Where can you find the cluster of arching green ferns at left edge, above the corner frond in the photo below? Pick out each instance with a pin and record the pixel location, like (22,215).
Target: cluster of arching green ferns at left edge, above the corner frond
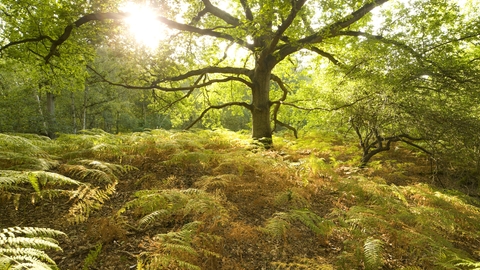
(27,173)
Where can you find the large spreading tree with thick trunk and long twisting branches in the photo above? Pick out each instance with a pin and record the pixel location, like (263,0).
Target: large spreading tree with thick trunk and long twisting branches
(270,33)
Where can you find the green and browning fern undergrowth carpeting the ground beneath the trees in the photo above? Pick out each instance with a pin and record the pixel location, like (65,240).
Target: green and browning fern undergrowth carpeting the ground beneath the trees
(211,200)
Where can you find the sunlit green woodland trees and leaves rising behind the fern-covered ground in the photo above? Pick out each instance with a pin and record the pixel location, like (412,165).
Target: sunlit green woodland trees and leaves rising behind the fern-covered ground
(388,70)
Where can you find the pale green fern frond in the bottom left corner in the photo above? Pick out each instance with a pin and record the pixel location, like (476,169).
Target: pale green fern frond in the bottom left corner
(23,248)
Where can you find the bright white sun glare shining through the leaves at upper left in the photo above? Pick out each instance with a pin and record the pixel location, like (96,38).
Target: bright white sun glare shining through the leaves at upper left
(143,25)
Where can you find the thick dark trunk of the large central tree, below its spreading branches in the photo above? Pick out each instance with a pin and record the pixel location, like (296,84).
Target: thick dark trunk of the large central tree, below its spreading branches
(261,126)
